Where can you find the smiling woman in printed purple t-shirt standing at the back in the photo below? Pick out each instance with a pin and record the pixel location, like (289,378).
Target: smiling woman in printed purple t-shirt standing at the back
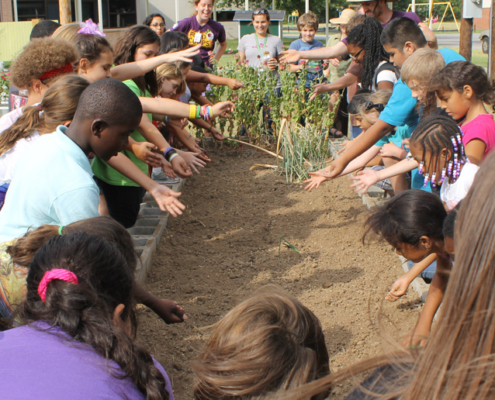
(201,29)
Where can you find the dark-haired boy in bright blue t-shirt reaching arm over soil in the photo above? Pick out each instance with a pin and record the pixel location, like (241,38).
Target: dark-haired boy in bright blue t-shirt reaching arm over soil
(401,38)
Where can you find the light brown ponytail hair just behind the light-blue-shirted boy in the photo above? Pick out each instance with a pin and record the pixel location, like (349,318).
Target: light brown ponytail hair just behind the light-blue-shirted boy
(58,105)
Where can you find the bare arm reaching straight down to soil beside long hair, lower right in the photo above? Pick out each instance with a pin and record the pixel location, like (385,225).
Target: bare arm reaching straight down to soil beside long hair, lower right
(435,296)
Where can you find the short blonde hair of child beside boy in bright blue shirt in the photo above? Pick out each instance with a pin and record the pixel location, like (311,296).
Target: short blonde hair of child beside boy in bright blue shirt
(422,66)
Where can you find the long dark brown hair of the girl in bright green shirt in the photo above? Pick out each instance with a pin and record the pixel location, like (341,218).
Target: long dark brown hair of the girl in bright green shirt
(126,47)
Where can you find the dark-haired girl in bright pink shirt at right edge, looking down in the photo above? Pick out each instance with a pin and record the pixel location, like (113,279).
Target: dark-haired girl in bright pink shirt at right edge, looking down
(462,88)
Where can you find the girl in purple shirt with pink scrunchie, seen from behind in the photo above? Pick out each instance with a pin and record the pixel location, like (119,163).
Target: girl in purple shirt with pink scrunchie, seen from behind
(84,322)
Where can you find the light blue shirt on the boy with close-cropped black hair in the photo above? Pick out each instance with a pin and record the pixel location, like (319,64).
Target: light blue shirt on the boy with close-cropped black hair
(52,184)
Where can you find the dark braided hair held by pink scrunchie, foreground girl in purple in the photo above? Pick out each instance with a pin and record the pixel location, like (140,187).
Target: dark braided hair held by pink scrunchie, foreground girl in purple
(85,310)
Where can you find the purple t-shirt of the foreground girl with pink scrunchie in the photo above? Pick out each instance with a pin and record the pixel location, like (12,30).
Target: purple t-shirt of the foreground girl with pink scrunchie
(41,365)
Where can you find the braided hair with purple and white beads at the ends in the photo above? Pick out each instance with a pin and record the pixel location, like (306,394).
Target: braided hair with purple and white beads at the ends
(434,134)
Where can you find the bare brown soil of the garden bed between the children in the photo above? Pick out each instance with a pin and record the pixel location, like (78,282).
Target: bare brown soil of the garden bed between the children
(227,244)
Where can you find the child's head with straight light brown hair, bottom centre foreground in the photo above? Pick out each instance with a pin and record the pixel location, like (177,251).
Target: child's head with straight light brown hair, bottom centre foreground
(269,342)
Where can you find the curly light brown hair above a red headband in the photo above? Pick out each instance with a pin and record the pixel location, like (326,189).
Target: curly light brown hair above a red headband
(38,57)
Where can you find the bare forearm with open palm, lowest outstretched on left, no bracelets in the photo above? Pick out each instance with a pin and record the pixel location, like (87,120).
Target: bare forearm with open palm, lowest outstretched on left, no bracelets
(166,198)
